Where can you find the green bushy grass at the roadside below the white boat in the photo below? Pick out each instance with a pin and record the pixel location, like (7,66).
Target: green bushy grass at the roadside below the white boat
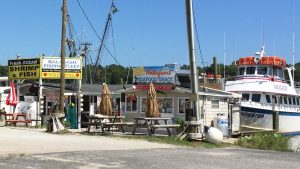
(265,141)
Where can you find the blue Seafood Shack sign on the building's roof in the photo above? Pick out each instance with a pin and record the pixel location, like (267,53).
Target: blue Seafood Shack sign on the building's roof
(154,74)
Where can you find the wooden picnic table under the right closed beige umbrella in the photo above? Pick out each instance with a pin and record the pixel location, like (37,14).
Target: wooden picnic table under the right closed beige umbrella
(152,123)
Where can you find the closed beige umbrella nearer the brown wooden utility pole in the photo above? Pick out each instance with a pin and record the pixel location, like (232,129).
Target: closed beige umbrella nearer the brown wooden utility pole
(105,104)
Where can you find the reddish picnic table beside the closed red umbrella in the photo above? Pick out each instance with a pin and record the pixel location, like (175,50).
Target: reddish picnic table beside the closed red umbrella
(14,118)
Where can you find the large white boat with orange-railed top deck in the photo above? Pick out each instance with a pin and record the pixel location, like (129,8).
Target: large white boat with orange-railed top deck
(269,100)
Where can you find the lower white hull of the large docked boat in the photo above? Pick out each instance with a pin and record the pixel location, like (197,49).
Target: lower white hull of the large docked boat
(289,122)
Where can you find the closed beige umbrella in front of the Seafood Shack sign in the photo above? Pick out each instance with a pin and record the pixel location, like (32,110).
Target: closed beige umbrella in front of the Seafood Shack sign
(152,106)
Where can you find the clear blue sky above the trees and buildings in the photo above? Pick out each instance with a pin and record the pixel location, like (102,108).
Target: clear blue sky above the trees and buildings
(153,32)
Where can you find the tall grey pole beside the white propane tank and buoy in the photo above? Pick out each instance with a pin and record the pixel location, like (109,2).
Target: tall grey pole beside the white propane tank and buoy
(192,58)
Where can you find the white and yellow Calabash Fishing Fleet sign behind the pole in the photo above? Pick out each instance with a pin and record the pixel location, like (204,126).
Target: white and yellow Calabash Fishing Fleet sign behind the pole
(51,68)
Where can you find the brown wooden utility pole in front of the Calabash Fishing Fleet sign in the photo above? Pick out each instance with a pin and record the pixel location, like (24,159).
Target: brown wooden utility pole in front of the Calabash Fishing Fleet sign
(63,57)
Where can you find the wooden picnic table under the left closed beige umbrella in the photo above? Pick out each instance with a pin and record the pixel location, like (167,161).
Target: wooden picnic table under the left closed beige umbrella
(107,122)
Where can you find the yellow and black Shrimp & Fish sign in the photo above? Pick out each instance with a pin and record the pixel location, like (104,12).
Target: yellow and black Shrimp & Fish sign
(24,69)
